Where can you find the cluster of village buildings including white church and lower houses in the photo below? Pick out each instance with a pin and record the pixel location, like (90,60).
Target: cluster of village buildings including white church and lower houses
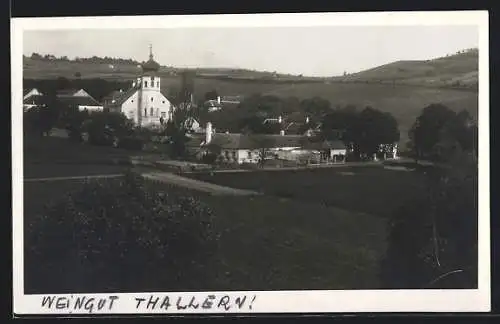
(295,142)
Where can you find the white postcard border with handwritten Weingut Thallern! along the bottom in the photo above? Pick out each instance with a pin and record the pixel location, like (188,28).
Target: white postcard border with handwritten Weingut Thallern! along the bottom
(265,301)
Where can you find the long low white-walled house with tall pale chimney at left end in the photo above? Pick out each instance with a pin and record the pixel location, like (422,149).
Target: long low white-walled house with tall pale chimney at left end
(244,148)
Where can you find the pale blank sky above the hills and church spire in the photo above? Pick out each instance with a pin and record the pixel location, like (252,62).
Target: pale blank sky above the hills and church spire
(311,51)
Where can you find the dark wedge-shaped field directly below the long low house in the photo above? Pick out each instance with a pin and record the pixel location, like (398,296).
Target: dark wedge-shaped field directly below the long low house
(372,190)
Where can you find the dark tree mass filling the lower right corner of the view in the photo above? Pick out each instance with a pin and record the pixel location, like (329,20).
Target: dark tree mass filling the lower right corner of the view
(433,239)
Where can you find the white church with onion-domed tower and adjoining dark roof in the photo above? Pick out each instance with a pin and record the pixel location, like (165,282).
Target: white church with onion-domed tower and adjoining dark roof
(144,102)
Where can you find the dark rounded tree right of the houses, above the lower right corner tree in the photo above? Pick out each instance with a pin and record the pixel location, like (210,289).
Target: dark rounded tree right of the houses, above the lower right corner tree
(427,130)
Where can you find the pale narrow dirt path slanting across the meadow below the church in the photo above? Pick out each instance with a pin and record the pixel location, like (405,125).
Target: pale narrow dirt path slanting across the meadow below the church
(211,188)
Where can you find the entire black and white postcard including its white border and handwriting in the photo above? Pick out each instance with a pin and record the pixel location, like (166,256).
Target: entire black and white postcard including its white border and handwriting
(251,163)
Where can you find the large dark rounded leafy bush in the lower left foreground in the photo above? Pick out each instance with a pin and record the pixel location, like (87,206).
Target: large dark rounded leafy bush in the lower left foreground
(121,234)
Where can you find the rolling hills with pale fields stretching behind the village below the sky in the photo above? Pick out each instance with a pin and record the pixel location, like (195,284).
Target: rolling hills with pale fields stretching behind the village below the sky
(402,88)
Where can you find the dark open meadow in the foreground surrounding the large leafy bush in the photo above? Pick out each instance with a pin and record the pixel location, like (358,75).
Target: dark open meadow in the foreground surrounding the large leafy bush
(266,244)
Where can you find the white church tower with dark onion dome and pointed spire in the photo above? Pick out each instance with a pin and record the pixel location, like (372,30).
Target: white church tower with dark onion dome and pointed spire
(149,83)
